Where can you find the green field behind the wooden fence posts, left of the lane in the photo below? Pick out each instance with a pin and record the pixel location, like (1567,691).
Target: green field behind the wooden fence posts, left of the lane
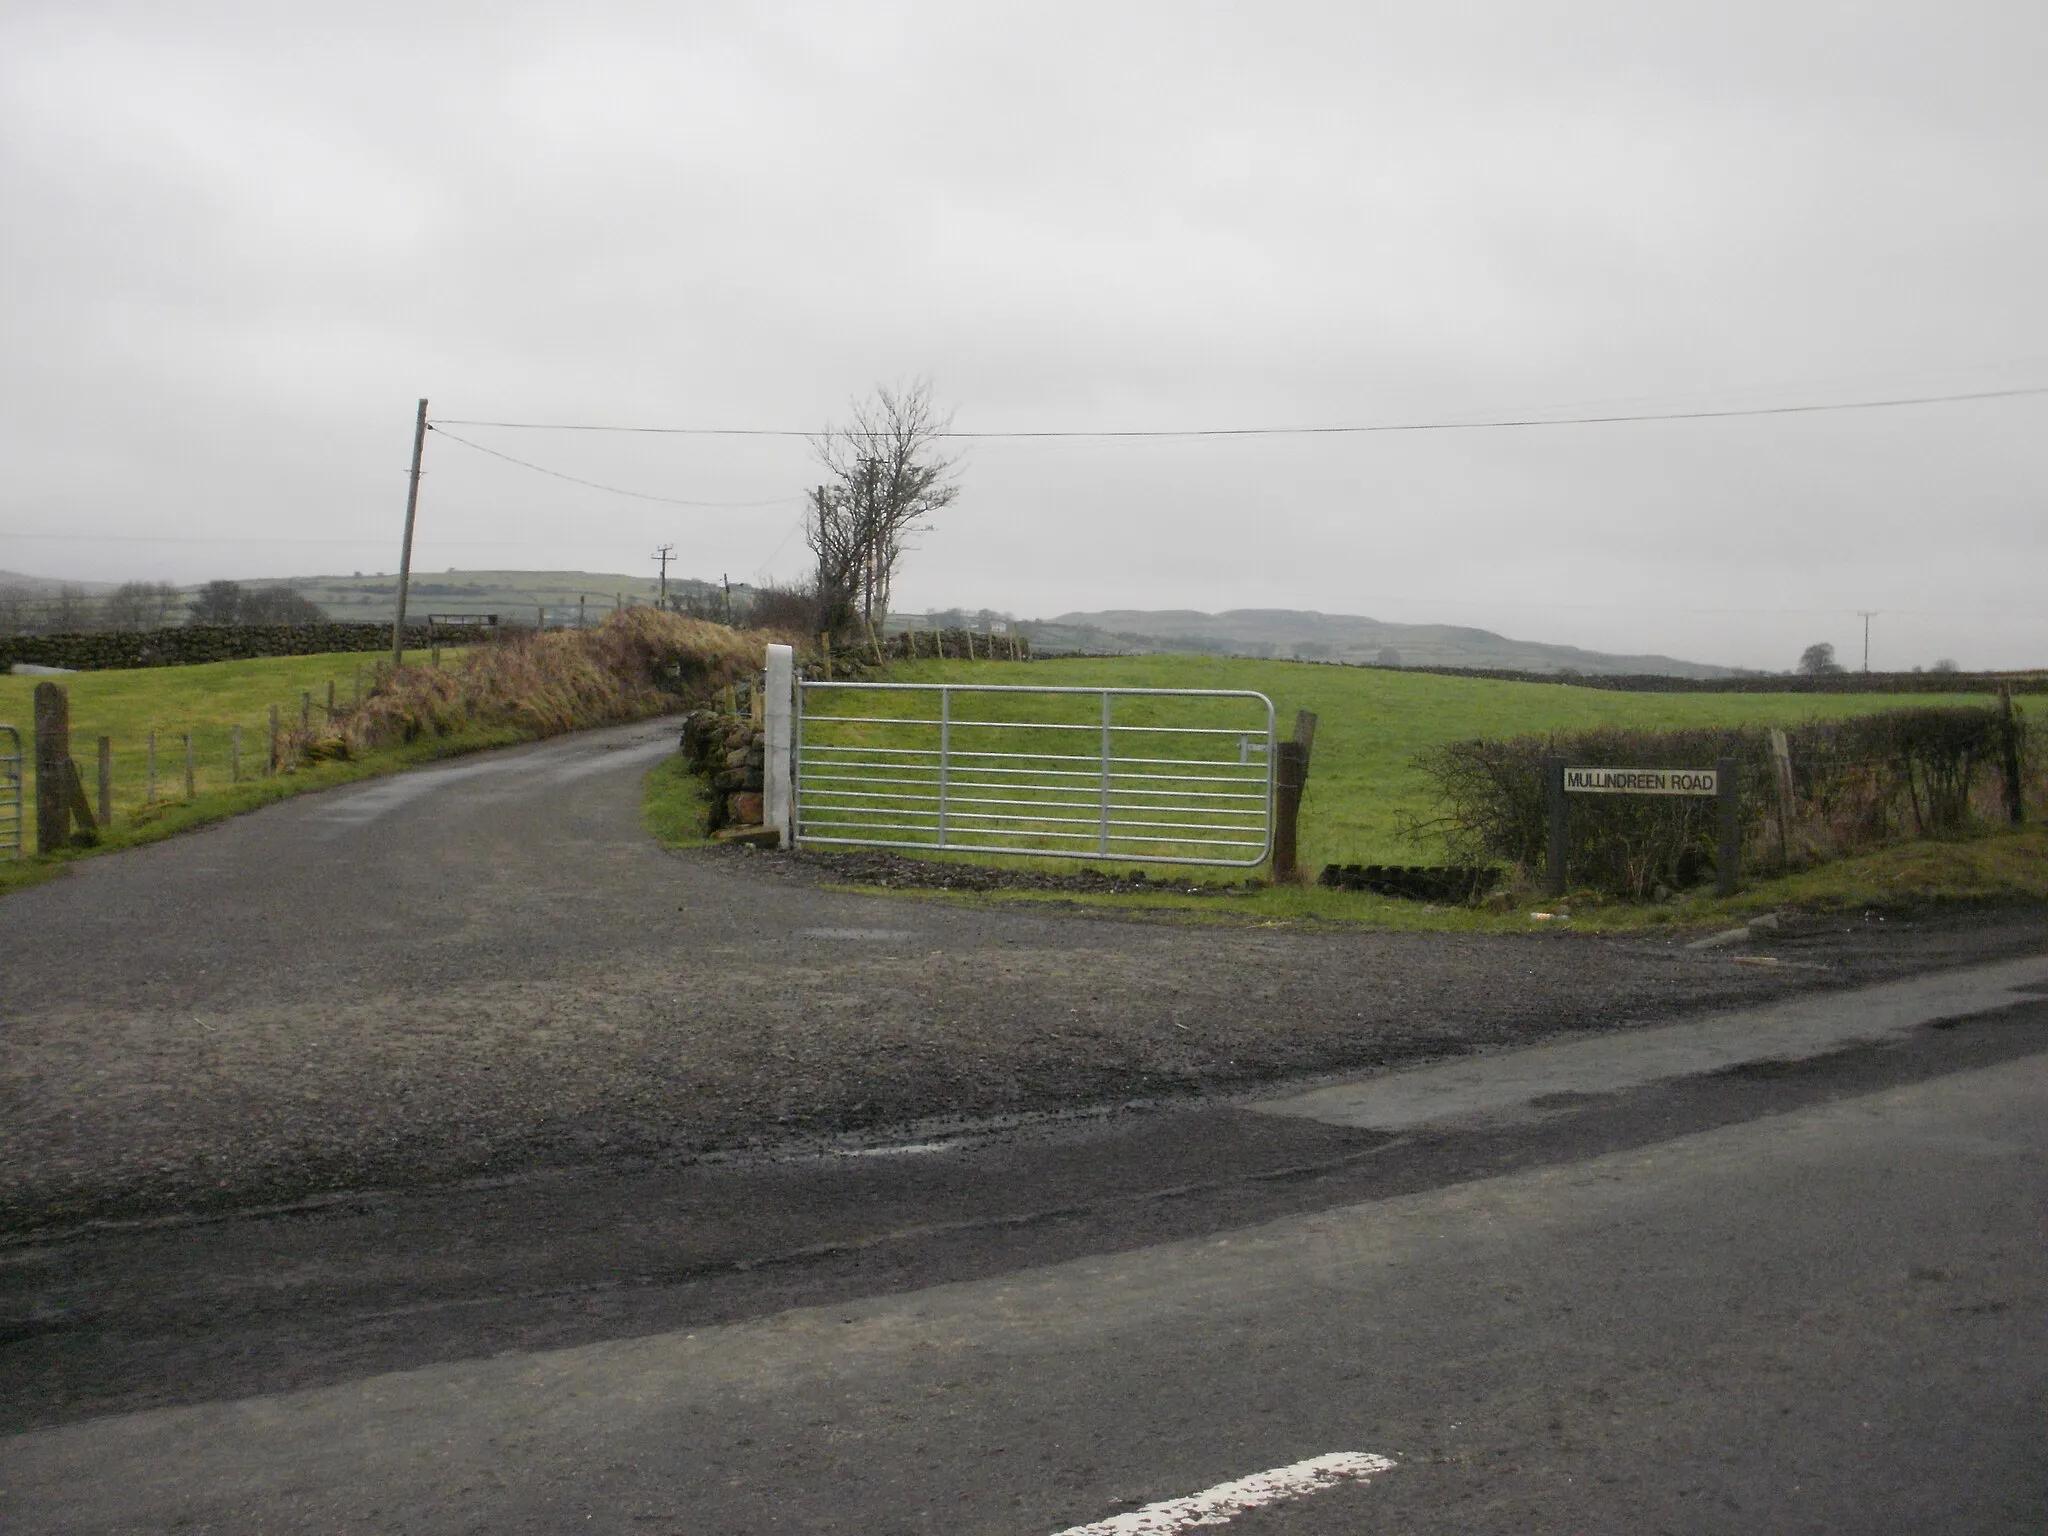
(206,701)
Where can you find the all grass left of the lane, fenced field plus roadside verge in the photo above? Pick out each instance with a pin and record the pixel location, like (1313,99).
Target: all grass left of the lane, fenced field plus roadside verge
(206,703)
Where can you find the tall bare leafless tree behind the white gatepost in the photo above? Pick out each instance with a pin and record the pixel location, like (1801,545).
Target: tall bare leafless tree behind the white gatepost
(884,478)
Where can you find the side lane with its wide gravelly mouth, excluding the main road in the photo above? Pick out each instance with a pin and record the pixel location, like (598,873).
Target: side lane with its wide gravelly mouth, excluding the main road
(486,968)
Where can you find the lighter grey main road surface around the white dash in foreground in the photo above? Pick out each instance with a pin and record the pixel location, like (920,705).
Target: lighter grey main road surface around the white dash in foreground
(1828,1318)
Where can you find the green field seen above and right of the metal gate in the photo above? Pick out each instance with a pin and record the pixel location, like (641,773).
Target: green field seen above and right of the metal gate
(1373,724)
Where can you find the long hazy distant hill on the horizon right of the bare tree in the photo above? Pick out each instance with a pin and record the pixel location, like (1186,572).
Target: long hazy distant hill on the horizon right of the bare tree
(1293,634)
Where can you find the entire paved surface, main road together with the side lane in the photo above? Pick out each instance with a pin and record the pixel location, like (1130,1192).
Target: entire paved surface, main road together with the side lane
(1779,1271)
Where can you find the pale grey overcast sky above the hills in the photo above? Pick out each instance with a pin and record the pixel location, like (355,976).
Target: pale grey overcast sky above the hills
(243,241)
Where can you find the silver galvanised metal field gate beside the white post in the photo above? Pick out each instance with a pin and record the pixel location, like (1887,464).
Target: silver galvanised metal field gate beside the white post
(972,771)
